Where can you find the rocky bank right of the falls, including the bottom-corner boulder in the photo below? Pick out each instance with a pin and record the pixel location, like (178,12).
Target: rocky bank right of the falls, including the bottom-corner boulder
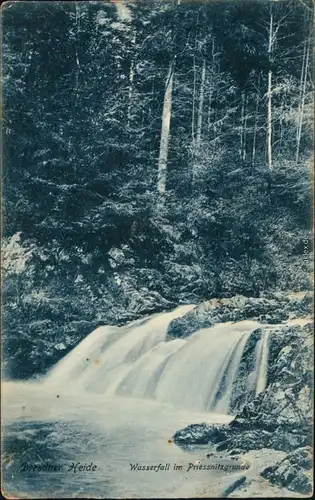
(279,418)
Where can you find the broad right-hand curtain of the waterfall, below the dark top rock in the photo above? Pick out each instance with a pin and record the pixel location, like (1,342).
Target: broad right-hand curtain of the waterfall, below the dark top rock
(192,377)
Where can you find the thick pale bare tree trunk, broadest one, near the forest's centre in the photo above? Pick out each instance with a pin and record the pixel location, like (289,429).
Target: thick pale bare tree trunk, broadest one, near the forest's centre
(165,132)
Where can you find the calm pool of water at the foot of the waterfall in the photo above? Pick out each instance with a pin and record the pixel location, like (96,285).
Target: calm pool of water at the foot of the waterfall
(46,429)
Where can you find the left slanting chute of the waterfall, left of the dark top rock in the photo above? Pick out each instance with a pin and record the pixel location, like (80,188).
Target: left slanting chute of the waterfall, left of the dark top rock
(109,352)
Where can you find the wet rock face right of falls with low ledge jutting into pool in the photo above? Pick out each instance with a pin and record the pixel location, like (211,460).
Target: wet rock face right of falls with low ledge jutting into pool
(279,417)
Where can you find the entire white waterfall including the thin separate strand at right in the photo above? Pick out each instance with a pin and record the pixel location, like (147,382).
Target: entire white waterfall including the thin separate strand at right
(196,373)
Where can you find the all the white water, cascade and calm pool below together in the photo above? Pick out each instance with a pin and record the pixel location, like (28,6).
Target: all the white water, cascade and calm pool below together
(123,392)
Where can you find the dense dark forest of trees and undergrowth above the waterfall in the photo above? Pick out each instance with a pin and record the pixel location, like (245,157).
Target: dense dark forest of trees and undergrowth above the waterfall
(155,153)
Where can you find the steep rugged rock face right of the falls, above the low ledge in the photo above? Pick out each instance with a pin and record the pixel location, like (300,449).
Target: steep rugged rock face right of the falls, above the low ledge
(287,400)
